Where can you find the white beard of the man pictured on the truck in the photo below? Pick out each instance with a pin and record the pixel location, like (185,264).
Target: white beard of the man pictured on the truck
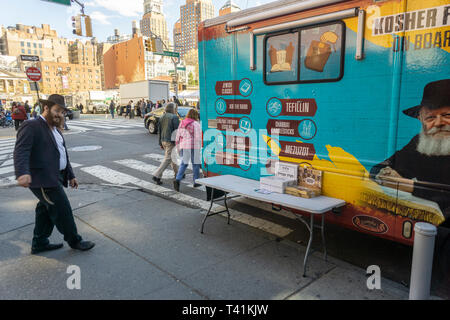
(432,144)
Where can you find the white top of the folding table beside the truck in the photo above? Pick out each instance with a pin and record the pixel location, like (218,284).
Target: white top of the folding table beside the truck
(246,188)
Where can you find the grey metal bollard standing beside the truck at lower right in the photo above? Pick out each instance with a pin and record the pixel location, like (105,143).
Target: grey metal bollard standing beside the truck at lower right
(422,263)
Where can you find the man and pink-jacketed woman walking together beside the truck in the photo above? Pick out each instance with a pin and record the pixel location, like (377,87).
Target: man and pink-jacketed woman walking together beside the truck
(185,138)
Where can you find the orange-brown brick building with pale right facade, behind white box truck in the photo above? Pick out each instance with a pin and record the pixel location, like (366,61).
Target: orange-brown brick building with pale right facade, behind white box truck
(128,61)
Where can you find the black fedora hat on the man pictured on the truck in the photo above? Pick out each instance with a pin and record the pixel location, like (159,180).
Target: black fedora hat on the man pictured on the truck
(436,95)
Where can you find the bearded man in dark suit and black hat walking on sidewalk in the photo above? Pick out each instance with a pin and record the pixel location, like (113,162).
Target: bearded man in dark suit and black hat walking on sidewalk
(42,164)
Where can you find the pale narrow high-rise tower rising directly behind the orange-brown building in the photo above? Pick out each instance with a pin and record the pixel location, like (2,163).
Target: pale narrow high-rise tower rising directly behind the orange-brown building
(153,22)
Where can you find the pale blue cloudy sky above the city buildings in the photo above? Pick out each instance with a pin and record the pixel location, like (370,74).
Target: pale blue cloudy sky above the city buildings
(106,15)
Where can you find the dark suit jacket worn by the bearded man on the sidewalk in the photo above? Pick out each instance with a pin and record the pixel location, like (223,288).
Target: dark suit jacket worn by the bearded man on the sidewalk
(36,153)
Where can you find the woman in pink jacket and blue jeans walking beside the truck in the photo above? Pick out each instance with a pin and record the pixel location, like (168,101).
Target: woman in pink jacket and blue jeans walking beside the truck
(189,146)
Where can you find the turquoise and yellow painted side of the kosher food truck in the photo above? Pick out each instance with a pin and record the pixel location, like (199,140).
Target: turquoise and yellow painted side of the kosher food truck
(379,127)
